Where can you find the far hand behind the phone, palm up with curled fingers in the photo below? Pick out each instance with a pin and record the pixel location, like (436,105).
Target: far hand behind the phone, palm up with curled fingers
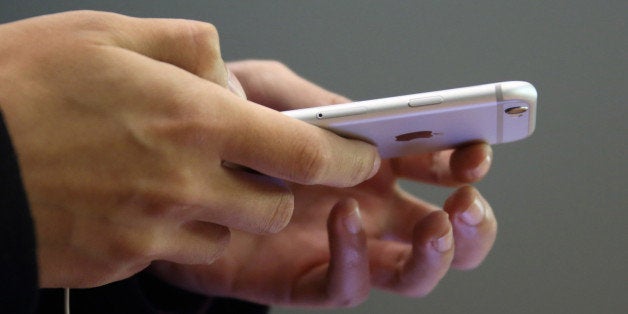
(333,253)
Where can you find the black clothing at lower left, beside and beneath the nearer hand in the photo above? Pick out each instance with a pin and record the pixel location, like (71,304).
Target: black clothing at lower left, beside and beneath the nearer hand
(19,291)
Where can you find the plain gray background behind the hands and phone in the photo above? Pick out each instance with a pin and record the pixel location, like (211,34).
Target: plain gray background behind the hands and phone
(560,196)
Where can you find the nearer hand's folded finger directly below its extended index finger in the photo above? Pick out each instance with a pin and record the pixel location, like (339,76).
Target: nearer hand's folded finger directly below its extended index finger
(233,198)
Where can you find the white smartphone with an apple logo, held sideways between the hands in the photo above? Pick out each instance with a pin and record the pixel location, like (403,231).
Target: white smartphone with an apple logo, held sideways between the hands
(419,123)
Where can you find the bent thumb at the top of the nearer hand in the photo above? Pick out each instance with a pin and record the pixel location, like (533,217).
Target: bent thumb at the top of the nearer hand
(191,45)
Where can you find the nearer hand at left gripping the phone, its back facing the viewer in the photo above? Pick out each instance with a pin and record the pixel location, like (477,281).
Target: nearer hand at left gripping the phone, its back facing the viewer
(123,129)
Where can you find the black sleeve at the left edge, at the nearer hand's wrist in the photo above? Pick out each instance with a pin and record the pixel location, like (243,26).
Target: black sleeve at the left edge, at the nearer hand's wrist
(18,260)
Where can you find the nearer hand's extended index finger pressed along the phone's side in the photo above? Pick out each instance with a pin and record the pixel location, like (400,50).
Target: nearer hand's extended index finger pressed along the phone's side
(279,146)
